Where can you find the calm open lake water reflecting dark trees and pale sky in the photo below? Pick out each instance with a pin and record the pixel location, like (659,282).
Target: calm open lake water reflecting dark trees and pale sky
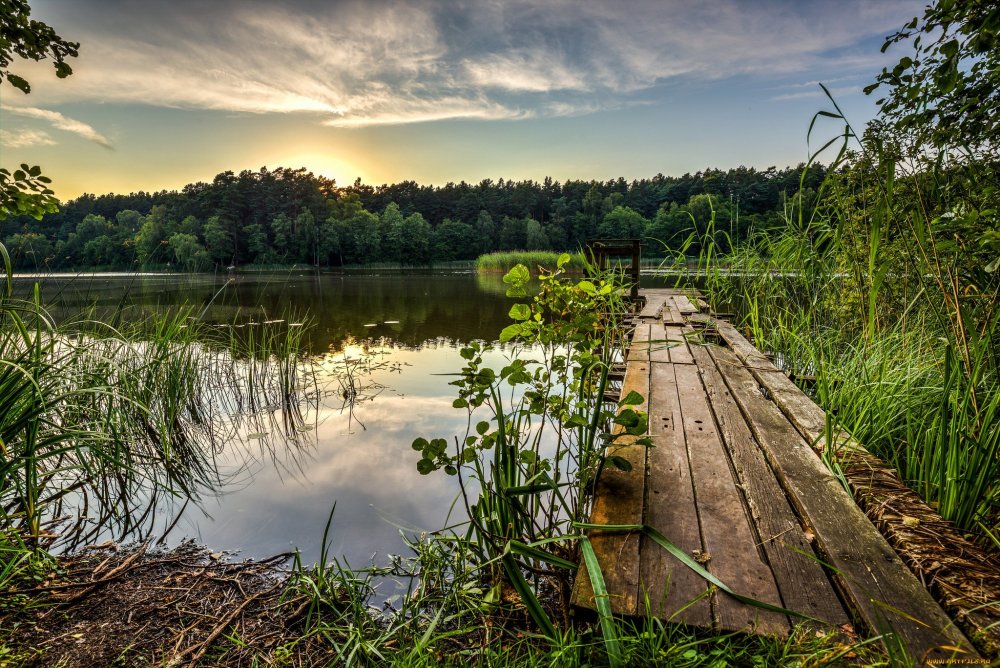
(399,334)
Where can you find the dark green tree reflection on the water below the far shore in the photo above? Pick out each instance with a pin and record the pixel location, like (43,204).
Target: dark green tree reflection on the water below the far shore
(459,307)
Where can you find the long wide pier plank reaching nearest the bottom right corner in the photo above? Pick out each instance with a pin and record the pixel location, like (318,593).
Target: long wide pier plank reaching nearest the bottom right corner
(878,585)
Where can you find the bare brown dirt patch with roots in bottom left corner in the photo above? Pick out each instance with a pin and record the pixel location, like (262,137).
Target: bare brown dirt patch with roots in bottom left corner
(107,606)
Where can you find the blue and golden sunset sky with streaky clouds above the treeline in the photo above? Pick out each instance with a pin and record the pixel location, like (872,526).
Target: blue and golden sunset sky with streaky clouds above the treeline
(168,93)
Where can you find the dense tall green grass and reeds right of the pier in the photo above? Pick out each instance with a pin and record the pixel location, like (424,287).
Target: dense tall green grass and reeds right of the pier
(877,288)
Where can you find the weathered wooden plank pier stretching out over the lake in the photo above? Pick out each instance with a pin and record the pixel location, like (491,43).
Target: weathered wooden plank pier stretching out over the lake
(733,480)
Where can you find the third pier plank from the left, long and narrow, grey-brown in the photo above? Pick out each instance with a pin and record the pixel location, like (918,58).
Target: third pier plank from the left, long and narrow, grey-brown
(728,539)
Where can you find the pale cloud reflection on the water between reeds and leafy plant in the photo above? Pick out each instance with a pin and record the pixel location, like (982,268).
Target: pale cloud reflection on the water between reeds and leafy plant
(369,473)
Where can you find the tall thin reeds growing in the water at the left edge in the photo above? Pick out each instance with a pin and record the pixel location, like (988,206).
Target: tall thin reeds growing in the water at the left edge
(98,423)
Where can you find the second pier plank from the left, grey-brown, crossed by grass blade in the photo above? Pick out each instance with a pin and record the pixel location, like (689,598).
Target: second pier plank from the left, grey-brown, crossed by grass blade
(670,509)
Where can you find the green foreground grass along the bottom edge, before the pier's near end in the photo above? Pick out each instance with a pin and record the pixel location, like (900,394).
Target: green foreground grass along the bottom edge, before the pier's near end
(448,614)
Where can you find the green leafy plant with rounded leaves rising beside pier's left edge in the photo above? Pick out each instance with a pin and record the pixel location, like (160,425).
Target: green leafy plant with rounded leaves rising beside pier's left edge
(546,428)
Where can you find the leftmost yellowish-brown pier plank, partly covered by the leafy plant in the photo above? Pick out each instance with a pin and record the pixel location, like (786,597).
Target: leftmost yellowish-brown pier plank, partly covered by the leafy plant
(618,499)
